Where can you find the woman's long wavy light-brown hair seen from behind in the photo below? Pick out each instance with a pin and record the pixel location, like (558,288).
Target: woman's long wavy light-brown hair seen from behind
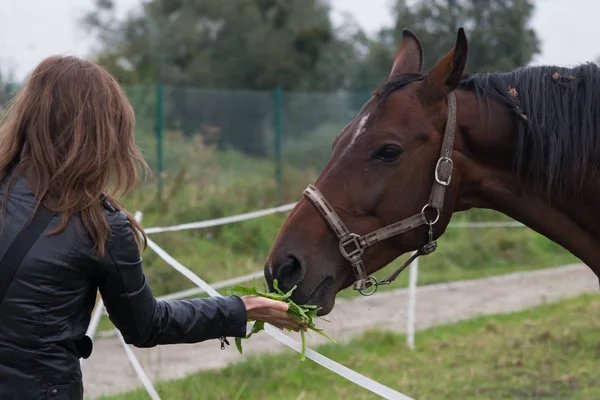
(70,133)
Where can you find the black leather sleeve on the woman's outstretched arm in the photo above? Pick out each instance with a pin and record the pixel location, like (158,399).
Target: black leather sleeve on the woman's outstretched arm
(147,322)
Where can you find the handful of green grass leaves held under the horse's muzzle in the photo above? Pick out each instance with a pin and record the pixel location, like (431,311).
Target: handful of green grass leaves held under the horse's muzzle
(302,313)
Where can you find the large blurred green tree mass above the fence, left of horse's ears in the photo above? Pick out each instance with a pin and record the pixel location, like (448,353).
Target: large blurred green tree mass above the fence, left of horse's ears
(250,44)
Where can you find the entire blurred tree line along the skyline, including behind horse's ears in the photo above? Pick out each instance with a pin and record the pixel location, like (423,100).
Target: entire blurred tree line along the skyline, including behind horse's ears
(259,44)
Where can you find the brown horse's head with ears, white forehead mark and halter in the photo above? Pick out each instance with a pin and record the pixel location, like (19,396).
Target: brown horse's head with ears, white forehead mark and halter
(392,165)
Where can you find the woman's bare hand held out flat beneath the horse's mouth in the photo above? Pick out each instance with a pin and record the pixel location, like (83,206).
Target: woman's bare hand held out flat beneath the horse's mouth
(274,312)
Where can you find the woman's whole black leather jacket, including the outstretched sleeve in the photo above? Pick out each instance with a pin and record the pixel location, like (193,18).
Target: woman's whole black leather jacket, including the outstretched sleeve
(47,307)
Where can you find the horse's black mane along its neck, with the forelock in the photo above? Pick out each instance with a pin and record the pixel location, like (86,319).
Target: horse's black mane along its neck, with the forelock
(557,115)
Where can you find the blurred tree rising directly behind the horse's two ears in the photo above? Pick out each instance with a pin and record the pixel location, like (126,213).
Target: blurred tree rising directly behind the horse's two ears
(500,38)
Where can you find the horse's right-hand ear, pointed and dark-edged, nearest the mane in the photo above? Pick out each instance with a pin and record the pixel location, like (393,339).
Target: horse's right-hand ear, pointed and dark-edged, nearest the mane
(445,76)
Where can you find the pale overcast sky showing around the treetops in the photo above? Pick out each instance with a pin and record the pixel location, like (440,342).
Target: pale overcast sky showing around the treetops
(31,30)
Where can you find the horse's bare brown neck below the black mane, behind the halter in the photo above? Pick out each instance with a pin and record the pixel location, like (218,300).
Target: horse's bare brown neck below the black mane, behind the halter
(488,181)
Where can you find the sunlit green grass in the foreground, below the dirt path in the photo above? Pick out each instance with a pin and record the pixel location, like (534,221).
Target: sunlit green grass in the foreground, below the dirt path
(549,352)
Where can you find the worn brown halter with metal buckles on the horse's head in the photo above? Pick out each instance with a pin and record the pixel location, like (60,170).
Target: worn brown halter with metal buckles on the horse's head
(352,246)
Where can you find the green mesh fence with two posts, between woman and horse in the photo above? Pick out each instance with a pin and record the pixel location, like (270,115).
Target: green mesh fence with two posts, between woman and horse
(279,140)
